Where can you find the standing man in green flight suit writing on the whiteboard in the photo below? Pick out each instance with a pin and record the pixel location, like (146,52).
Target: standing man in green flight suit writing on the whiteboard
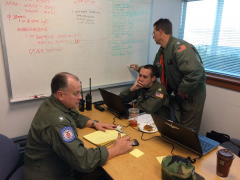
(184,72)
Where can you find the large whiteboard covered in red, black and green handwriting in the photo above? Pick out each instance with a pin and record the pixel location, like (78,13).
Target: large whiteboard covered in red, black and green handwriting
(89,38)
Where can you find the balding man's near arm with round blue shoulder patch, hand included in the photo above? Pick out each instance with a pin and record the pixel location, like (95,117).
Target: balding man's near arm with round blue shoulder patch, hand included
(69,147)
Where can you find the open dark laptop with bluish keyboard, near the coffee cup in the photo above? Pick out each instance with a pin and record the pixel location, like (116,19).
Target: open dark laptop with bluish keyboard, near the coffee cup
(183,136)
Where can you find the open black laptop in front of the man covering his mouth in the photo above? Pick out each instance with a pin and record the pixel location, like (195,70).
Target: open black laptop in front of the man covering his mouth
(114,103)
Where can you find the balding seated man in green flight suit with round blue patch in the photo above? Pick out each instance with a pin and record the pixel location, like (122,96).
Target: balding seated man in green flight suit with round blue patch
(53,150)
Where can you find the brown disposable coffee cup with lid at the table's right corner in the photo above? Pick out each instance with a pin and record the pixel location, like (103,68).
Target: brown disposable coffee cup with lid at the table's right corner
(224,162)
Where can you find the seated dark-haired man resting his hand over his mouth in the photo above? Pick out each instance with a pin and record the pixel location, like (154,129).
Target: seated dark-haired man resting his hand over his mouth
(150,95)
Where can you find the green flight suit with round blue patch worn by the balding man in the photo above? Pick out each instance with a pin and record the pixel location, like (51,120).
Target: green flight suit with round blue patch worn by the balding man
(53,148)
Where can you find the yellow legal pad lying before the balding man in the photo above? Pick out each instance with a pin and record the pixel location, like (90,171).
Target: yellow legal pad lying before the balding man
(101,138)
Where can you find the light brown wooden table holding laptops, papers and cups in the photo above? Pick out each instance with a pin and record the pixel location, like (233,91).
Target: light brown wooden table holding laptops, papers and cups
(127,166)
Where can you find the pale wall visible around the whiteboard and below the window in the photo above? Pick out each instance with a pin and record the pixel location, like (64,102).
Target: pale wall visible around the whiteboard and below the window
(221,112)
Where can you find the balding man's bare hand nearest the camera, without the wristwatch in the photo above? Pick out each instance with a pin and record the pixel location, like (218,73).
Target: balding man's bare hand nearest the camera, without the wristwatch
(121,146)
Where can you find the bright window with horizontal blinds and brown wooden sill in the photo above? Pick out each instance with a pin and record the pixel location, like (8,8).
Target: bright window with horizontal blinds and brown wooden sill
(213,27)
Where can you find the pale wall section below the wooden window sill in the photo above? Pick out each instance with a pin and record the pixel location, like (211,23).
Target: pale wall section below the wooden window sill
(221,111)
